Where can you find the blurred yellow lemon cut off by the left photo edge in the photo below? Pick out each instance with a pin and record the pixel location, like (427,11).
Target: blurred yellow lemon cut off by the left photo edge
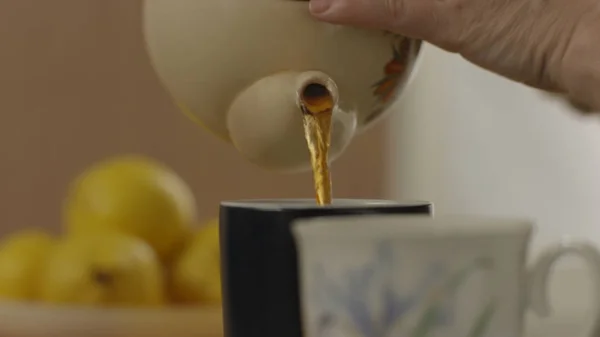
(22,256)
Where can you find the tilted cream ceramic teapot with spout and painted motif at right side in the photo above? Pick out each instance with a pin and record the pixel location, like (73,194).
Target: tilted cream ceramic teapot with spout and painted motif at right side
(239,67)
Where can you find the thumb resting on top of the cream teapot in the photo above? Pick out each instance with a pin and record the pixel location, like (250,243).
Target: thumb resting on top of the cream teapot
(414,18)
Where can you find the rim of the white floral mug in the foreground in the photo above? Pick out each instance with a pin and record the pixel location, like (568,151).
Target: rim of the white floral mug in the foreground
(402,226)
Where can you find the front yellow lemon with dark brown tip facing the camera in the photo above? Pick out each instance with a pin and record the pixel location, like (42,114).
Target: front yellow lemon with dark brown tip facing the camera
(104,269)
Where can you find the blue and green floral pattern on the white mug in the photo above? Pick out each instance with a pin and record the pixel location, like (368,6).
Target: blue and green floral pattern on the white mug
(372,307)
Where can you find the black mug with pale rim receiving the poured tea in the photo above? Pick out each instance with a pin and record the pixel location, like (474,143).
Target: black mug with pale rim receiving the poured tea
(259,263)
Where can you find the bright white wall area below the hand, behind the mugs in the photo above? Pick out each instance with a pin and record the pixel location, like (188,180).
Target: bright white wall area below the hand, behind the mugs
(473,142)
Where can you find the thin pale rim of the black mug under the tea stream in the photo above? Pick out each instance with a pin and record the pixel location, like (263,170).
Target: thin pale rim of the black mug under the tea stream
(310,203)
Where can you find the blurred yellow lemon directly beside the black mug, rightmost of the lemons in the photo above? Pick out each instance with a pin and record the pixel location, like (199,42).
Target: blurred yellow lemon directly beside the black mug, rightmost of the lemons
(196,274)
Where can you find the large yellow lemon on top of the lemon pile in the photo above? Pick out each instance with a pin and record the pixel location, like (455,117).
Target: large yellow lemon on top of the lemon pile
(133,195)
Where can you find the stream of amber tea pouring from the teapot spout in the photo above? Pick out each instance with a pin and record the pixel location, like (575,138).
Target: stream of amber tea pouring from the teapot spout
(317,108)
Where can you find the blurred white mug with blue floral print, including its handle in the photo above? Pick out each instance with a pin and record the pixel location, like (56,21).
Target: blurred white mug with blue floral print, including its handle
(416,276)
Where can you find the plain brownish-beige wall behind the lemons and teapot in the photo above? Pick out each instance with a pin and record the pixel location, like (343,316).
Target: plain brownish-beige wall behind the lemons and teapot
(75,86)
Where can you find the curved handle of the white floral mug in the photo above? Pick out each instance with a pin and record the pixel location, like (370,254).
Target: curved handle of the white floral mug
(539,275)
